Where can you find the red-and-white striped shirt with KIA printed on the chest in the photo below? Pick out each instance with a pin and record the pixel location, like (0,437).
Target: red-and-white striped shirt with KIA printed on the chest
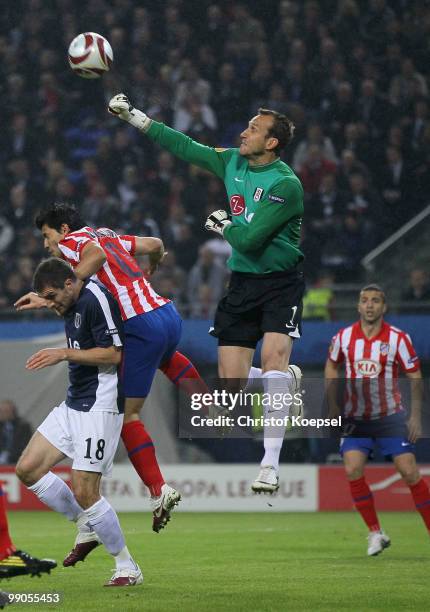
(372,369)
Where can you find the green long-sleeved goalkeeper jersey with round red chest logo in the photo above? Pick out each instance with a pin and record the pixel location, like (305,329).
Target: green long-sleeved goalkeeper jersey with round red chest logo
(266,203)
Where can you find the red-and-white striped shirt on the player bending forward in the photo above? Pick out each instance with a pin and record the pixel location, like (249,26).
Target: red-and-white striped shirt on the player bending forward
(120,273)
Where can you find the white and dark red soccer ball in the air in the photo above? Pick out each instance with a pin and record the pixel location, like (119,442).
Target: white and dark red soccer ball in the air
(90,55)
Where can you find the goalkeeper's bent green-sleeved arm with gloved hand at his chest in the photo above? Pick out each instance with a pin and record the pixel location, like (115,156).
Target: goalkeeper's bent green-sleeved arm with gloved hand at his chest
(283,203)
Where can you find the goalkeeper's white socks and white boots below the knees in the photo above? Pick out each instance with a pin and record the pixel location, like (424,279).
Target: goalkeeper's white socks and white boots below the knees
(275,382)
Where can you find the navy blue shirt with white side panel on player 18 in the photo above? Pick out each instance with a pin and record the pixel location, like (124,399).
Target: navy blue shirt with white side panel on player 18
(94,321)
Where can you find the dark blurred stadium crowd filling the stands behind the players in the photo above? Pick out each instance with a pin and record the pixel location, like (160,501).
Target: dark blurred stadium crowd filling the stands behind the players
(353,76)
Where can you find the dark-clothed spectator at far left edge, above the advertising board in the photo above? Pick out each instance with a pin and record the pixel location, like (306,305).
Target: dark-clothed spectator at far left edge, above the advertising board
(15,433)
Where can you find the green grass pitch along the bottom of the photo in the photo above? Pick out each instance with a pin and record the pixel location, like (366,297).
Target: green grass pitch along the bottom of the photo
(253,562)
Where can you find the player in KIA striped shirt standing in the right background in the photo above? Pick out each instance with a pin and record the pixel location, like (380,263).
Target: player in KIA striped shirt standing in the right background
(373,352)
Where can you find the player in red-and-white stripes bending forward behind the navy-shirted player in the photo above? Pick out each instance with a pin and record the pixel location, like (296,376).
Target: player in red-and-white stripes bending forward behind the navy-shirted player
(151,323)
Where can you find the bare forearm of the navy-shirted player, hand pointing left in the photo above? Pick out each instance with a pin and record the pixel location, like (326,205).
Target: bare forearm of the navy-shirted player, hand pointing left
(97,356)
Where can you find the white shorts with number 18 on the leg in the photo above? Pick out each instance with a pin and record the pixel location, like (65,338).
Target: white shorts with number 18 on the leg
(89,438)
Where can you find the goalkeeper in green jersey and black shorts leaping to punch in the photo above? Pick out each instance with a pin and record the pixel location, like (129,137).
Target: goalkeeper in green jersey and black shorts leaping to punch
(264,298)
